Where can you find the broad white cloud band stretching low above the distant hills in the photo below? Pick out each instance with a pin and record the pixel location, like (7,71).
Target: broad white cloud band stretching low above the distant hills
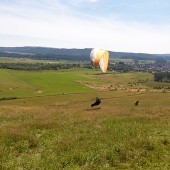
(63,29)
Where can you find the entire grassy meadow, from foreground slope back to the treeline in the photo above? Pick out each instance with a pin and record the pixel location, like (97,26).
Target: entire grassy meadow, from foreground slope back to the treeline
(51,125)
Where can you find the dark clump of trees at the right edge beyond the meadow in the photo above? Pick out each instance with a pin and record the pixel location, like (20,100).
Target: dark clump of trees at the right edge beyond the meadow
(162,76)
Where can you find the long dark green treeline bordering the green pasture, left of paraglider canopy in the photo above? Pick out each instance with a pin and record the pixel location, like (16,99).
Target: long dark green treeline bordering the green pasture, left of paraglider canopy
(42,66)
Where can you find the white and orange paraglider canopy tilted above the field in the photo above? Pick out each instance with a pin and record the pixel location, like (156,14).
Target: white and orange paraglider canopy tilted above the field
(100,58)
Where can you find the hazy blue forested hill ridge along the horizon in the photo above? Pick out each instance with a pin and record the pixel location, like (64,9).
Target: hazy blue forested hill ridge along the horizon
(69,54)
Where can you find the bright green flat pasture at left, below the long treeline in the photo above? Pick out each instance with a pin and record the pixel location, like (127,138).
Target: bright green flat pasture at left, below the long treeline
(25,83)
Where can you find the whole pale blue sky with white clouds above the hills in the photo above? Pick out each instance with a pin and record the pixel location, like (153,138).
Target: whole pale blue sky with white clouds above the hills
(117,25)
